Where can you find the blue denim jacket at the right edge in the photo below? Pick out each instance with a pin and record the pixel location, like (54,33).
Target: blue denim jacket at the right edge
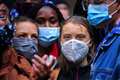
(106,65)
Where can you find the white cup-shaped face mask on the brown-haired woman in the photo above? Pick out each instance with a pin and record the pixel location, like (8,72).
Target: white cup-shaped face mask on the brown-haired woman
(74,50)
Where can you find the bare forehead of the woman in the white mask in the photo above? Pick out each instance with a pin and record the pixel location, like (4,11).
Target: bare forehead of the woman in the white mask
(73,28)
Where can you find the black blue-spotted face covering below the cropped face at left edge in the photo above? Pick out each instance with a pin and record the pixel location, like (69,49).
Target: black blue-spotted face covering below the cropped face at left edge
(6,33)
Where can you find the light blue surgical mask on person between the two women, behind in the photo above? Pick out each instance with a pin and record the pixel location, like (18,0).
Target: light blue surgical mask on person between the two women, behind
(48,35)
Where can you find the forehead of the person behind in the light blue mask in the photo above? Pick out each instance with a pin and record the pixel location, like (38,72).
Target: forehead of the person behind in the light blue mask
(46,10)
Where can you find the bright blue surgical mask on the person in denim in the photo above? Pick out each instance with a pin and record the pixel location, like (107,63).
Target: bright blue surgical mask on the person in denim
(97,14)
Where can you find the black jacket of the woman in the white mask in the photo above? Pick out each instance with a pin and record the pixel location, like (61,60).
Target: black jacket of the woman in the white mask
(81,73)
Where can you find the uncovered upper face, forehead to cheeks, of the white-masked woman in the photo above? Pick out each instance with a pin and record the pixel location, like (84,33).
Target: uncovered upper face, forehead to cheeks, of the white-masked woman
(74,31)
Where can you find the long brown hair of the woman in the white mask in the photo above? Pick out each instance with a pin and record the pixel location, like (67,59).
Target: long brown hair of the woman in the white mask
(80,21)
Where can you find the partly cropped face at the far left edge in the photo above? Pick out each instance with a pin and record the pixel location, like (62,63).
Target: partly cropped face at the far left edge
(3,14)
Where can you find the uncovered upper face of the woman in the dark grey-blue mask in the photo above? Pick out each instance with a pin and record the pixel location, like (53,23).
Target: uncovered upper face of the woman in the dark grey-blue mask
(26,30)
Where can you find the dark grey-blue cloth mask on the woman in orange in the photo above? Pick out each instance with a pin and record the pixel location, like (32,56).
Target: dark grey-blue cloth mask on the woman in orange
(25,47)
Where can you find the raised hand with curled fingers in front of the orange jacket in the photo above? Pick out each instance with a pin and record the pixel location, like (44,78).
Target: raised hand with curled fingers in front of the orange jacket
(41,66)
